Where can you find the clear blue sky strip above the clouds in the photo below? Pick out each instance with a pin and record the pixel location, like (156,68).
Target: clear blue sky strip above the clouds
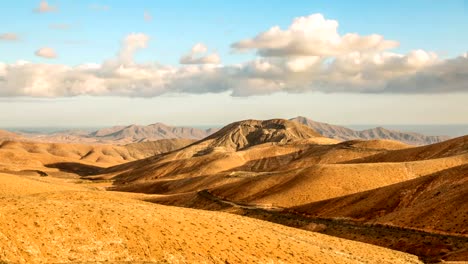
(177,25)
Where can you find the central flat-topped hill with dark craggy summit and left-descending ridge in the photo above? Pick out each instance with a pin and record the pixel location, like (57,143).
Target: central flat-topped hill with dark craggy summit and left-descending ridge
(229,148)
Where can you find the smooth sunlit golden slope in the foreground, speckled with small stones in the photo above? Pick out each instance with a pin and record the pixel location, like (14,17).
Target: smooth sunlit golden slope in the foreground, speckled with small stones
(45,220)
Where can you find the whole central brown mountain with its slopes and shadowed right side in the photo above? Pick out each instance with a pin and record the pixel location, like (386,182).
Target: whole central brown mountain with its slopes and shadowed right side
(275,171)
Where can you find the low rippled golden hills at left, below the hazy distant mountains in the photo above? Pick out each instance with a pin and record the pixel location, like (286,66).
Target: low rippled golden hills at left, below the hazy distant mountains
(22,155)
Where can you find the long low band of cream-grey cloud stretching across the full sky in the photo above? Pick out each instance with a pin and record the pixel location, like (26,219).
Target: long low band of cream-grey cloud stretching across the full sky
(352,68)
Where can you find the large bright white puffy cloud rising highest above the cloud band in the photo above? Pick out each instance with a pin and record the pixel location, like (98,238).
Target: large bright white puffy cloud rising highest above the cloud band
(312,36)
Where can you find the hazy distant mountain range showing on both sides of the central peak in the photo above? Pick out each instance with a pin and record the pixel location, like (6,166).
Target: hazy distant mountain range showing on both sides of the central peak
(157,131)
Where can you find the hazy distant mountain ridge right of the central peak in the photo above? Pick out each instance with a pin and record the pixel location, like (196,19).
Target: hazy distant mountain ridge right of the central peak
(344,133)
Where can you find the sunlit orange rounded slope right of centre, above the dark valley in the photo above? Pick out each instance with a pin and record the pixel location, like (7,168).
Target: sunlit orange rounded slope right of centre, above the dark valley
(325,181)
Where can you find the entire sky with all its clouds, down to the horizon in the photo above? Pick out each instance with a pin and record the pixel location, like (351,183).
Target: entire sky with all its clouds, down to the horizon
(99,63)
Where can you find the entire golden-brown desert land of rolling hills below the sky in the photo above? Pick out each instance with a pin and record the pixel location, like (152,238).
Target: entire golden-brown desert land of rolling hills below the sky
(254,191)
